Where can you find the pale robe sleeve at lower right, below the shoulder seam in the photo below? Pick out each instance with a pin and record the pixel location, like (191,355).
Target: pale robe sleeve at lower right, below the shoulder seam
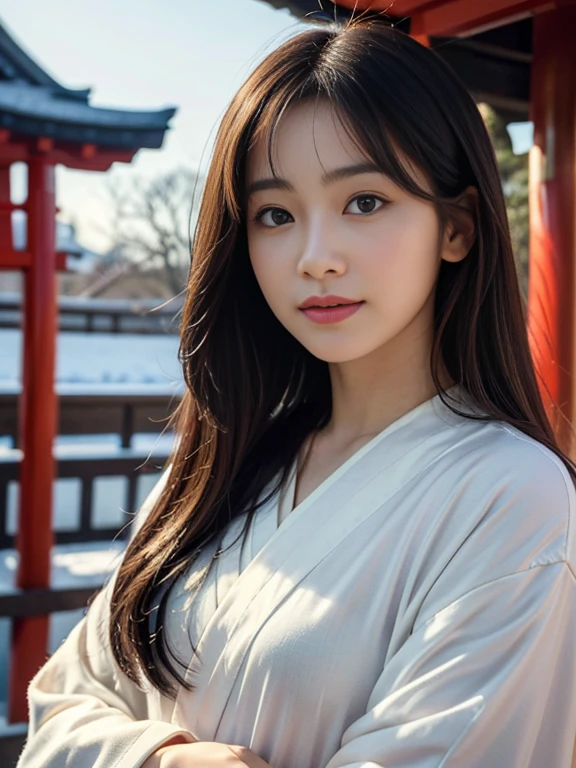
(487,681)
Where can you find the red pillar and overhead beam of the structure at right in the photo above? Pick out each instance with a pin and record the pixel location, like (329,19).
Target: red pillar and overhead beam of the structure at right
(552,108)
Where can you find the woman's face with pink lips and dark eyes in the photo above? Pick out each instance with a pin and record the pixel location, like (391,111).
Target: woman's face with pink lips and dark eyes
(325,231)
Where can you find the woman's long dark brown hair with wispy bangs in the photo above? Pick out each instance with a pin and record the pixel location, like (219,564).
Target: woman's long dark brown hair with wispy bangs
(253,393)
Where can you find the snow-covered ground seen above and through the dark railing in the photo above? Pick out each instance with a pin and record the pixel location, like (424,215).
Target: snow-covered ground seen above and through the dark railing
(87,363)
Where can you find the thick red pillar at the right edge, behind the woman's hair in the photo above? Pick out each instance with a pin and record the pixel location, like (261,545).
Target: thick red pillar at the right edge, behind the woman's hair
(551,294)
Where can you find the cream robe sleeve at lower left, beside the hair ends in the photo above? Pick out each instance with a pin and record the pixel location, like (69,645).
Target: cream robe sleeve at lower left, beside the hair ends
(83,711)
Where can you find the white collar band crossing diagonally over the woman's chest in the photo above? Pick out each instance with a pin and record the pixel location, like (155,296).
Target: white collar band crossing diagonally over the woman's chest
(307,535)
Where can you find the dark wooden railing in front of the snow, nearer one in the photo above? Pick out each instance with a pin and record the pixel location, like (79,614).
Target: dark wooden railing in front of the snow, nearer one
(123,414)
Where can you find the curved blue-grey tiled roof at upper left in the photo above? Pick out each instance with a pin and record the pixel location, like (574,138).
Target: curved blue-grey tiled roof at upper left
(33,104)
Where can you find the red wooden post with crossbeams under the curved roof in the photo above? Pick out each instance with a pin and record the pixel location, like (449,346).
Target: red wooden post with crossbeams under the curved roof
(38,403)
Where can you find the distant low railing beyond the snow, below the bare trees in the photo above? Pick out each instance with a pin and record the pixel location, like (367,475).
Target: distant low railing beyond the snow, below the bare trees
(102,315)
